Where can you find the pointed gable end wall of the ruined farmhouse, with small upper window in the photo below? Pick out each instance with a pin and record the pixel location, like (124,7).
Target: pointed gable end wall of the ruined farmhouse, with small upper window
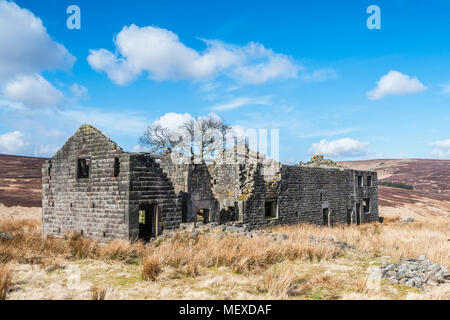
(95,207)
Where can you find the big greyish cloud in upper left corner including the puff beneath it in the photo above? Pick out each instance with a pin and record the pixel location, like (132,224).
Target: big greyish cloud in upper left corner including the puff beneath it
(26,49)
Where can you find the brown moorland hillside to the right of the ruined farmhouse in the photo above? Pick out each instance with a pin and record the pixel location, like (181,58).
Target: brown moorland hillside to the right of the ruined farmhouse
(430,179)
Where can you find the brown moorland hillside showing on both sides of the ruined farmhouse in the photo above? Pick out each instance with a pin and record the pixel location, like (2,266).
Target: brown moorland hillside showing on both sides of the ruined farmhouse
(20,183)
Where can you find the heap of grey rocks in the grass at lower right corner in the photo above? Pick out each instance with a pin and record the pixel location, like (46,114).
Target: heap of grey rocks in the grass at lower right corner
(416,272)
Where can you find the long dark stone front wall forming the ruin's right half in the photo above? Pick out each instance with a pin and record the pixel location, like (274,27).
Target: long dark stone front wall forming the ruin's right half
(303,193)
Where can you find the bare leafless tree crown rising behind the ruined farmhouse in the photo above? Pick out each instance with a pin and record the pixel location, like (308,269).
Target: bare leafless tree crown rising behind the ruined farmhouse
(198,138)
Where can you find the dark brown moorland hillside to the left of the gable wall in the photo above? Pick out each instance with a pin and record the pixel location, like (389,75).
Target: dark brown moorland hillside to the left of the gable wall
(20,181)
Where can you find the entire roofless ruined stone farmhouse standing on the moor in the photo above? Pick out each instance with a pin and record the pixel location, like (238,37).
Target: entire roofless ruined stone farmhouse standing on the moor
(93,187)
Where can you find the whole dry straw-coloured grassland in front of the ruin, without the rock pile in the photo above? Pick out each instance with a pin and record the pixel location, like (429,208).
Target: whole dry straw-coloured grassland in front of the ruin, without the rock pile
(213,265)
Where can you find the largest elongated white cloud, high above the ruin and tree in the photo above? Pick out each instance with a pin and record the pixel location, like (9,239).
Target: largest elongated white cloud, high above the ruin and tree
(160,53)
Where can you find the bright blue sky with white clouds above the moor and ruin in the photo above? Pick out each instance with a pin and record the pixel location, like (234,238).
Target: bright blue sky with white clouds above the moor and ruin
(313,70)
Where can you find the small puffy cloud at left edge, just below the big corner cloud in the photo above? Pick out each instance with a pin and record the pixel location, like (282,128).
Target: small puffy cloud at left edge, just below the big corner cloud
(33,91)
